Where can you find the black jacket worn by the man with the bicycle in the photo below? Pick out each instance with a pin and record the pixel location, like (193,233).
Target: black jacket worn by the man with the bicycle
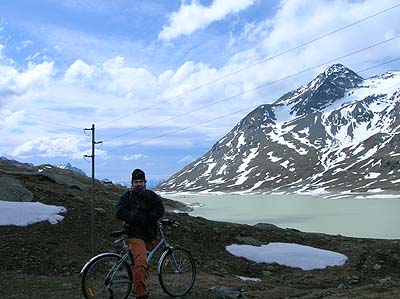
(140,210)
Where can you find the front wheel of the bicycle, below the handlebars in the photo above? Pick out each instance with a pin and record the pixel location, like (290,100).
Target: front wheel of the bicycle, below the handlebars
(177,272)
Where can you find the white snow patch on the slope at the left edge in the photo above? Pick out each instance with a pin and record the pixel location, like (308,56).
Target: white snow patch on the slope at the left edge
(25,213)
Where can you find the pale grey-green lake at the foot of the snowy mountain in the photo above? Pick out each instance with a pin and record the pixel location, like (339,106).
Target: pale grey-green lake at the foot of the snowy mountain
(372,217)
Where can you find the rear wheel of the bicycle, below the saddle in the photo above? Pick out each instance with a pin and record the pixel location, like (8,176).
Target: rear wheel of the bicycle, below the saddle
(93,281)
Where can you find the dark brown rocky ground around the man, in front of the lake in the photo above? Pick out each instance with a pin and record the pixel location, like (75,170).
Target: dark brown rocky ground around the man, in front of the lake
(44,260)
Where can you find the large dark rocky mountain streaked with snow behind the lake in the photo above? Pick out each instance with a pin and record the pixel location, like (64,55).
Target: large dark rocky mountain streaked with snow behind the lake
(339,132)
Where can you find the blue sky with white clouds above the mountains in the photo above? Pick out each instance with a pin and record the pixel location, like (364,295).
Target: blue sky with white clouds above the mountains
(162,81)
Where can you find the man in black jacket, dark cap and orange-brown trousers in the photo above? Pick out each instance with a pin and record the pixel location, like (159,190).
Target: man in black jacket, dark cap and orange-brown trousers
(140,209)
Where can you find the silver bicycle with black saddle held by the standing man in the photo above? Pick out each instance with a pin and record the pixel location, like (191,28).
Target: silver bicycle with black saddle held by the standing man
(109,275)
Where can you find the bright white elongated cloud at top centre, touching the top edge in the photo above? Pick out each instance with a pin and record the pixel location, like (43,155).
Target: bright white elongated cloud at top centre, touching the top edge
(194,16)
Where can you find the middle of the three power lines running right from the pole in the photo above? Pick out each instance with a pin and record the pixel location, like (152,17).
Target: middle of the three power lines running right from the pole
(252,89)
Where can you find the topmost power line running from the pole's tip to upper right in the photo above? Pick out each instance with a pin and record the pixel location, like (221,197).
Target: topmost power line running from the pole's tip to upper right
(252,65)
